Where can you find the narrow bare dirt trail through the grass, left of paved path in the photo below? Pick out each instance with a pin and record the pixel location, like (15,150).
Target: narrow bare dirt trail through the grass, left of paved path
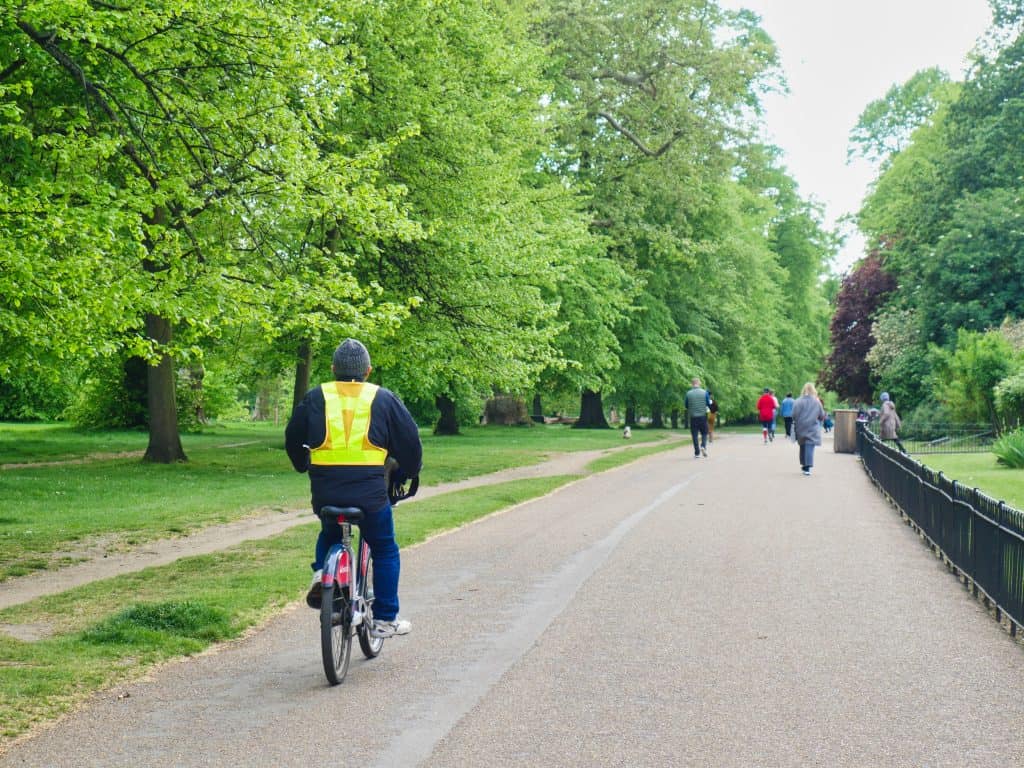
(217,538)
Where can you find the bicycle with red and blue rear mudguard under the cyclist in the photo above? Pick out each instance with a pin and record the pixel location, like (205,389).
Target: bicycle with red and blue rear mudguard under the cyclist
(348,591)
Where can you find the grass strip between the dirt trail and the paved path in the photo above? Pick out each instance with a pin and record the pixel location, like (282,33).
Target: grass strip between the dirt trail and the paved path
(113,631)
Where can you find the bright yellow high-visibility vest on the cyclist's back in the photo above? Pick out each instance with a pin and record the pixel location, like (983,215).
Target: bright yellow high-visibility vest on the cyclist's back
(347,408)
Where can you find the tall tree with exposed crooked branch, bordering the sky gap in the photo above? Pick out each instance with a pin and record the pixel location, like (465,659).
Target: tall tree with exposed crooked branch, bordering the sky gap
(655,93)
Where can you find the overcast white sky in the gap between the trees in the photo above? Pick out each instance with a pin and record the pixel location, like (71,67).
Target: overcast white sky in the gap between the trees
(839,56)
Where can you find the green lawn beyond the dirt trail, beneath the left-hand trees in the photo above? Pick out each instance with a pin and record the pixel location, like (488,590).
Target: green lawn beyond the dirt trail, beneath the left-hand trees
(232,473)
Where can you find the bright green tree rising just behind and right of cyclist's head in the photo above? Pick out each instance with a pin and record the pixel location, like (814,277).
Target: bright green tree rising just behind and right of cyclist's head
(463,81)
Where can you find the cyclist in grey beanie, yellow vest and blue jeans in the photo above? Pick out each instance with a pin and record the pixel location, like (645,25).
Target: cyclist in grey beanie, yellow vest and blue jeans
(343,433)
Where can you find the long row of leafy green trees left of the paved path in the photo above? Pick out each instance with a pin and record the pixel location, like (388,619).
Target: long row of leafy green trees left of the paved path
(554,200)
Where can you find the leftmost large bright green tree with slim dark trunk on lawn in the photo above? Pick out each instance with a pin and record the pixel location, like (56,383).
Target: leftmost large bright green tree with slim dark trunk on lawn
(169,132)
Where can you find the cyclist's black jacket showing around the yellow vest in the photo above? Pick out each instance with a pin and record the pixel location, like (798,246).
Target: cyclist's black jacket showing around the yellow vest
(392,428)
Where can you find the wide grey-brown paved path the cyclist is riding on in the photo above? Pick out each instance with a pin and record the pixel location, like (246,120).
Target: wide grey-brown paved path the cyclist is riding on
(727,612)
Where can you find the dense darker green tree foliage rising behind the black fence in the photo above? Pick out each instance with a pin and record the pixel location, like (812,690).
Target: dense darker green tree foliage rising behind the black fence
(945,219)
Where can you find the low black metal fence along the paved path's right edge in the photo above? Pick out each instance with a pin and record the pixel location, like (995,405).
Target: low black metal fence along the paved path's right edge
(982,539)
